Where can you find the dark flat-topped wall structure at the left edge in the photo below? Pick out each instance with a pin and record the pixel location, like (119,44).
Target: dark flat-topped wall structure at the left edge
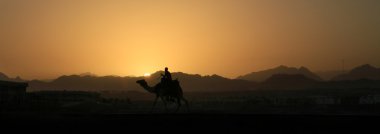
(12,92)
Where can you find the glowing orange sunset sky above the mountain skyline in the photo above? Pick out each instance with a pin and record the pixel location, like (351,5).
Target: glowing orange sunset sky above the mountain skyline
(43,39)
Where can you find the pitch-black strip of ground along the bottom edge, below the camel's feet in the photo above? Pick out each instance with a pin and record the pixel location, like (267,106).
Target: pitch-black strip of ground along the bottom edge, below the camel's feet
(188,123)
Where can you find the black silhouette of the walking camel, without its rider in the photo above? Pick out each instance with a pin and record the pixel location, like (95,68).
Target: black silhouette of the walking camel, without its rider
(166,94)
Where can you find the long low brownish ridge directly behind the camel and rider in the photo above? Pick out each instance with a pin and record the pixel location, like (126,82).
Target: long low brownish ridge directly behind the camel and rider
(189,83)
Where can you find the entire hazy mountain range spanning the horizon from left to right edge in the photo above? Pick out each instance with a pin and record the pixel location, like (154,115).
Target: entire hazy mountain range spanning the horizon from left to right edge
(282,77)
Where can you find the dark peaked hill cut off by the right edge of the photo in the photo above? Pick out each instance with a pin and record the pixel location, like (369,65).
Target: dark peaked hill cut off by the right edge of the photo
(362,72)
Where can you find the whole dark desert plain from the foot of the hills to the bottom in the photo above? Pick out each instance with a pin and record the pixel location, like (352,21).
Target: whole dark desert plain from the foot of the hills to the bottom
(245,112)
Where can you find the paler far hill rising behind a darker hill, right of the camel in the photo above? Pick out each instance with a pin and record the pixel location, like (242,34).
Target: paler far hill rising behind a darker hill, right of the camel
(265,74)
